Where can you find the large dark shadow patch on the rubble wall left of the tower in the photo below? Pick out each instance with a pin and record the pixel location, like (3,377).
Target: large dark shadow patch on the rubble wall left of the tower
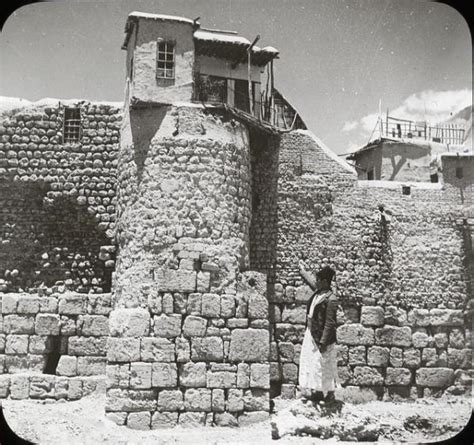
(42,246)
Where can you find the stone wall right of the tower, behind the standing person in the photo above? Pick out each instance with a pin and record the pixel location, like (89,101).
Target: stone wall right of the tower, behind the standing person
(402,283)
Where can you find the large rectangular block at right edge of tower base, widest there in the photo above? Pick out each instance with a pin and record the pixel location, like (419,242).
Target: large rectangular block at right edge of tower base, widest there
(249,345)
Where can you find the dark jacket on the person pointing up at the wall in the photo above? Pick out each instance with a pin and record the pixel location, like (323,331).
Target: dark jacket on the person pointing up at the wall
(323,322)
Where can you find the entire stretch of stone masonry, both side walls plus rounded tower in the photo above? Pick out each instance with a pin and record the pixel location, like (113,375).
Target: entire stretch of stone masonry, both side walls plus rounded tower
(167,263)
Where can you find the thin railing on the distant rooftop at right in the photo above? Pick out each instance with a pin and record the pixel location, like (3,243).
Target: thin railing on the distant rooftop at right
(401,128)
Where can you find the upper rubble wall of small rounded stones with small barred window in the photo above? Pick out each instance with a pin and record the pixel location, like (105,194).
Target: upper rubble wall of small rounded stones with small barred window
(57,217)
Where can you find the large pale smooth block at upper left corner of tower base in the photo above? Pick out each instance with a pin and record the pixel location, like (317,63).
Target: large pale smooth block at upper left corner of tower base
(129,323)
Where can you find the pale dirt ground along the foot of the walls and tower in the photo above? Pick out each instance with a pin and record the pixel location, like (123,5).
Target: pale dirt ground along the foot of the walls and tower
(294,422)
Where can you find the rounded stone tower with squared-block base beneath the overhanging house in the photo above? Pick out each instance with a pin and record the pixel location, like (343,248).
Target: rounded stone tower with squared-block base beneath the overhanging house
(189,332)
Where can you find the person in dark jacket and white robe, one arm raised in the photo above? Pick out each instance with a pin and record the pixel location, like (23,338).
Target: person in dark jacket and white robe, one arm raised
(318,360)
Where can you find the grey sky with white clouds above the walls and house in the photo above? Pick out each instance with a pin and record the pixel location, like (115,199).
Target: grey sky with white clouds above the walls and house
(341,61)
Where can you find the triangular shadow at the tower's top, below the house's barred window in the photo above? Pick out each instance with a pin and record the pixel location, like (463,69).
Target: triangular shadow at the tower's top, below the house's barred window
(144,123)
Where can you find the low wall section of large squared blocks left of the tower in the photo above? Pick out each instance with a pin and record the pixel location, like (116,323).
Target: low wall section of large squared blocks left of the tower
(52,345)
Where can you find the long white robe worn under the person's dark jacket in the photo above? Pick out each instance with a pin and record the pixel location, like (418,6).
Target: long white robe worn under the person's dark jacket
(318,371)
